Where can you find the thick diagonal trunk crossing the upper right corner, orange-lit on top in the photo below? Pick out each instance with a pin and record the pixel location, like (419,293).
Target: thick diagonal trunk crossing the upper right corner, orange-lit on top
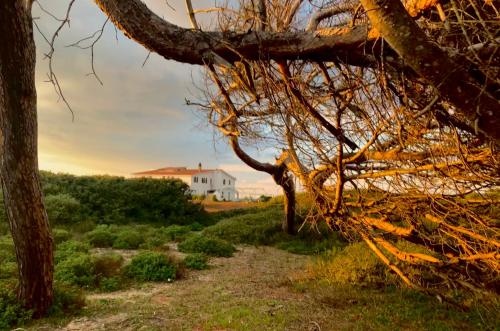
(451,79)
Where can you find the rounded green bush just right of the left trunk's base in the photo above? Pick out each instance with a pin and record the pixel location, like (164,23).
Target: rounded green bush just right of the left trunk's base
(77,269)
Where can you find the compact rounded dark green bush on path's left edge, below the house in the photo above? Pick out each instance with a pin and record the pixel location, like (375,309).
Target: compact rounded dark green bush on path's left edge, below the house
(151,266)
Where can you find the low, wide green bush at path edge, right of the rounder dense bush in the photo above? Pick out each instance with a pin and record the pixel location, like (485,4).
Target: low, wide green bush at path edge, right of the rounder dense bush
(207,245)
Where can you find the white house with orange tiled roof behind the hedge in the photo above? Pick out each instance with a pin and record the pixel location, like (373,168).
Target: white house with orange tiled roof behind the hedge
(201,181)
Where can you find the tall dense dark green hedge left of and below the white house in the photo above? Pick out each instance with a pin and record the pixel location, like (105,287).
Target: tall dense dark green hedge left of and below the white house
(110,200)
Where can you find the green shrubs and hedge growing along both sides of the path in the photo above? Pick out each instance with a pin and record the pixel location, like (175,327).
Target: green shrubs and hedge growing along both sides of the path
(106,250)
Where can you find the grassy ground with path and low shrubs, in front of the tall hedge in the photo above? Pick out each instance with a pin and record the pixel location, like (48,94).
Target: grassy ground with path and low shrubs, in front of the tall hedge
(258,288)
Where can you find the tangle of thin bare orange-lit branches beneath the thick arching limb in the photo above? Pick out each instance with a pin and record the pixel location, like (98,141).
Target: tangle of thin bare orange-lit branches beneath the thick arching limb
(385,156)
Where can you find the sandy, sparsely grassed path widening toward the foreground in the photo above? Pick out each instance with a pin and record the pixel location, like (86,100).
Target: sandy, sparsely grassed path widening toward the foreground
(250,291)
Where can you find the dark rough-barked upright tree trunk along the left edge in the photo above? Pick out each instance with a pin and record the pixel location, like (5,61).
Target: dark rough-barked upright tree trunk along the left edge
(18,157)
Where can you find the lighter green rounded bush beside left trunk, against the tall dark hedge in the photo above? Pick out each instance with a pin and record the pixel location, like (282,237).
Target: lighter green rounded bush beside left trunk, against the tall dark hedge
(62,208)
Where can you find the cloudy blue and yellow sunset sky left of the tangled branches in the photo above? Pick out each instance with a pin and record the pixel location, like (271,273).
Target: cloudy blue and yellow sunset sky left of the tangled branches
(137,119)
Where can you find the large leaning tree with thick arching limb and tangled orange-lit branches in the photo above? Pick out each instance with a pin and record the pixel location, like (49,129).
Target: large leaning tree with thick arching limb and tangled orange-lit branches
(408,116)
